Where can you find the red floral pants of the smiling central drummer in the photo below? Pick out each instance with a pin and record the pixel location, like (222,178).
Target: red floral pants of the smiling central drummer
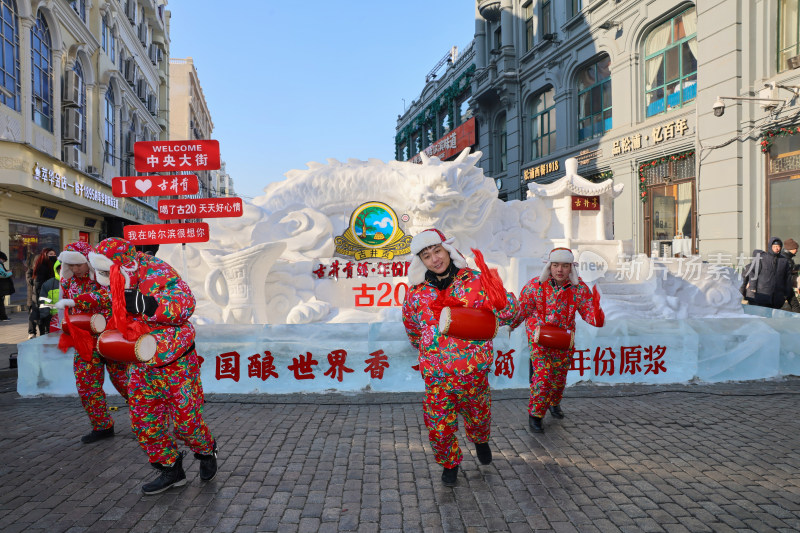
(445,398)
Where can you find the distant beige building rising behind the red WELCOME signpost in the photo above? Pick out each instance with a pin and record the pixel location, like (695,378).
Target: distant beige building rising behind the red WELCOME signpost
(189,114)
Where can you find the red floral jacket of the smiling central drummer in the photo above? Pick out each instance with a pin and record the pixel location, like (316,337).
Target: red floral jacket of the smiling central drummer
(442,355)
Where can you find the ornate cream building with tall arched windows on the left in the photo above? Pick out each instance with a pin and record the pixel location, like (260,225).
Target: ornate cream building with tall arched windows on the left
(81,82)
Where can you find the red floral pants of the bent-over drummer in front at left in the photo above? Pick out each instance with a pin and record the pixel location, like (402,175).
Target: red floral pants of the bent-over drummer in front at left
(172,393)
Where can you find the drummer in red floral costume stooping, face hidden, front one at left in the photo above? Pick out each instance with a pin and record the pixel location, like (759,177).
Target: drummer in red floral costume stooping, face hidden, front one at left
(149,297)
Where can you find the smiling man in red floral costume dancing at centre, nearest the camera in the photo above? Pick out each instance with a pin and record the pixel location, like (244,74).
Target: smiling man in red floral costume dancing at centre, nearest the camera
(455,369)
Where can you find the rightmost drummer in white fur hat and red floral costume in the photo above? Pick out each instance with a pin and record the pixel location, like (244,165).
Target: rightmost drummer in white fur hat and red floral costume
(552,300)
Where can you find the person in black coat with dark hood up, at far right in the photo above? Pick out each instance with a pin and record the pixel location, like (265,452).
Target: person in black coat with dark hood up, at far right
(767,280)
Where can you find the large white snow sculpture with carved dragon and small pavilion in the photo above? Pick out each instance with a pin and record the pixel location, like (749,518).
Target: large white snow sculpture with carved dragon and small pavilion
(257,269)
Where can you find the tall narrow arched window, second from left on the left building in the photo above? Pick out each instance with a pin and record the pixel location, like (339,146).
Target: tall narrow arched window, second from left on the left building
(42,74)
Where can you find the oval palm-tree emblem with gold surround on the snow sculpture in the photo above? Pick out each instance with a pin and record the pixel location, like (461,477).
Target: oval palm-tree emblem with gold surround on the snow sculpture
(374,231)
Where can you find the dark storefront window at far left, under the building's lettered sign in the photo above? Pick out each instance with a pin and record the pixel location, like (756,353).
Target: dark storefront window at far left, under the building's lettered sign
(26,241)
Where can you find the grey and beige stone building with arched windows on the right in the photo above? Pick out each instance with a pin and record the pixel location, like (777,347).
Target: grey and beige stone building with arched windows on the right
(692,106)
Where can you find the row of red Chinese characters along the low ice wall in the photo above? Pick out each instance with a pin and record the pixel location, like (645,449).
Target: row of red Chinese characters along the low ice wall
(604,362)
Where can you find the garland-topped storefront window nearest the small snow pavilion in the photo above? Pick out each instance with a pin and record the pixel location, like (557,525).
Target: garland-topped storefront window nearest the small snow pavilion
(669,213)
